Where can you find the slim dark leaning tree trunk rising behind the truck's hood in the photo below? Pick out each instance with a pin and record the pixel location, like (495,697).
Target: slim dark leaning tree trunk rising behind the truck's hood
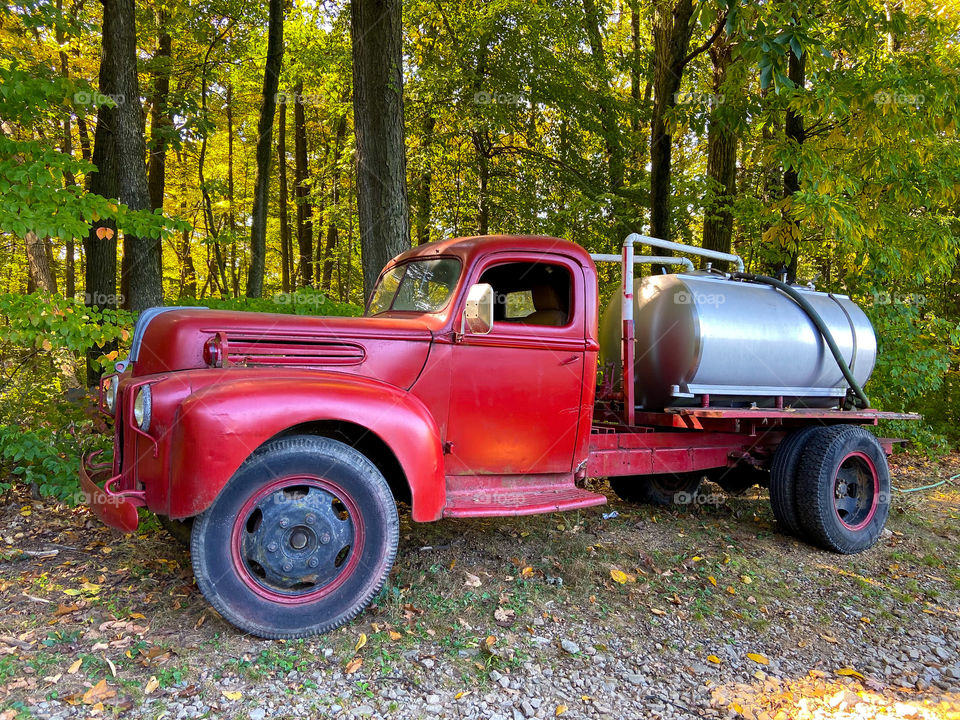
(271,82)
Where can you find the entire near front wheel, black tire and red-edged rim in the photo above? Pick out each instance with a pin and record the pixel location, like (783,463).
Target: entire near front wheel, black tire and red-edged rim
(299,540)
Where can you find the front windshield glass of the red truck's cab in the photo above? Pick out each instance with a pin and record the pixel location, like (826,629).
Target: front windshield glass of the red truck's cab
(418,286)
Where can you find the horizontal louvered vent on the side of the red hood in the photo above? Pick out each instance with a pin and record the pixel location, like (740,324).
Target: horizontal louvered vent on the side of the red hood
(290,351)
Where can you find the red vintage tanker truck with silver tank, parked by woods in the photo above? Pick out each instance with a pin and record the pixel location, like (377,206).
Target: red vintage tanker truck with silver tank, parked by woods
(480,382)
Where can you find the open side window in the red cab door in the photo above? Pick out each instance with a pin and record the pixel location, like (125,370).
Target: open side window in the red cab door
(530,293)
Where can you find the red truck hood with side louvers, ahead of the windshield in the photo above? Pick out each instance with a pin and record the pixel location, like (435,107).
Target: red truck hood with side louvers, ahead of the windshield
(392,349)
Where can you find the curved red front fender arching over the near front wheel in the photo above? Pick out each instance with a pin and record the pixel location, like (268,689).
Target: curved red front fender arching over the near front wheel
(219,426)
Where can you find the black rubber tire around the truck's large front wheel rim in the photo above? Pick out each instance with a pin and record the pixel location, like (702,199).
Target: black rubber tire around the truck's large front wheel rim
(293,444)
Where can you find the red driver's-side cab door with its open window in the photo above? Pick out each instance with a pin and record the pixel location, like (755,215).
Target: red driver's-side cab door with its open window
(516,392)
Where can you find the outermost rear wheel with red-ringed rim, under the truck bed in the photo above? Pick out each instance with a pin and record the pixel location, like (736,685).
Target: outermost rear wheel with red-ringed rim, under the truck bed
(843,490)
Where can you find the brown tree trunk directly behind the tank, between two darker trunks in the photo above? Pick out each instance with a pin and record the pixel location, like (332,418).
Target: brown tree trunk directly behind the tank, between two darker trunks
(721,160)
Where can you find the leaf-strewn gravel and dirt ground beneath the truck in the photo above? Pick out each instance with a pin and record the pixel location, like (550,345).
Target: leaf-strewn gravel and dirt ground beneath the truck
(707,611)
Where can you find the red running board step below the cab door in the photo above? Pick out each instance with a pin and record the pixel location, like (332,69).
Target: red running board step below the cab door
(501,496)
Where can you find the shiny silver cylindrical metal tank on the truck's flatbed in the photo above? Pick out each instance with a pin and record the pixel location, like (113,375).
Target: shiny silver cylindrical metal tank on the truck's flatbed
(738,342)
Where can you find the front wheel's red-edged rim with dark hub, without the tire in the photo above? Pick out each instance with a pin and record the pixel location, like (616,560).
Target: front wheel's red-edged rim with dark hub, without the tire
(268,555)
